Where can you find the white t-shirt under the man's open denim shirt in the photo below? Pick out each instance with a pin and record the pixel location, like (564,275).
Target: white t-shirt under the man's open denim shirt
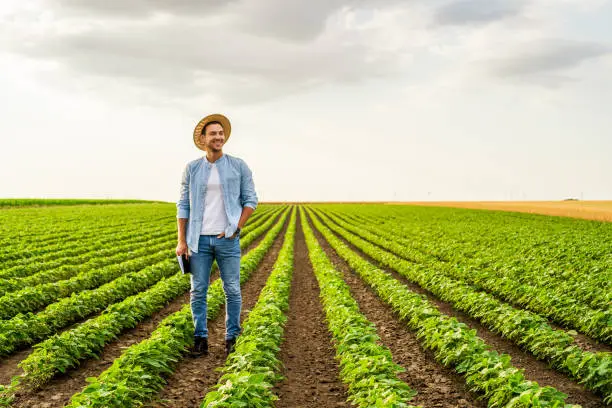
(214,220)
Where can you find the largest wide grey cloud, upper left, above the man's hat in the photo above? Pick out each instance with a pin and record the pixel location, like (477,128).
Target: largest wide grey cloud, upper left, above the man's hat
(188,57)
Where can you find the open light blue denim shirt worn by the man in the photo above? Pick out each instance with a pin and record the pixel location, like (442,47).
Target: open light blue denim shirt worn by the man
(238,192)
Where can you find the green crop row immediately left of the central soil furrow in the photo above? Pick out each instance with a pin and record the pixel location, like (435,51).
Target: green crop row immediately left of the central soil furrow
(252,369)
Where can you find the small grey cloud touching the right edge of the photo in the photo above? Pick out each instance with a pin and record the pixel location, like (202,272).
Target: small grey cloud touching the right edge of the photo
(547,57)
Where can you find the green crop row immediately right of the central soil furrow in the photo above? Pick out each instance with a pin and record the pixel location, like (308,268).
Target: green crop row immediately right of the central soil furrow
(365,366)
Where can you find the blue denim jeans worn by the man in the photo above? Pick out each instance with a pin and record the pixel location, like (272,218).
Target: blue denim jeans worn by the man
(227,254)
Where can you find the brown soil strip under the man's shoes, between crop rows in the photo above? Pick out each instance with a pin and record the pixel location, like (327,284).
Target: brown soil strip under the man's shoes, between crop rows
(194,377)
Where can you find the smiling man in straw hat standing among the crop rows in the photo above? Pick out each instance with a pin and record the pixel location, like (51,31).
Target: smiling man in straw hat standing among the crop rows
(217,197)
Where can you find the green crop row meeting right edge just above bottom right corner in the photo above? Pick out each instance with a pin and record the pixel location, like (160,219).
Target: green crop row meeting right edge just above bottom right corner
(524,328)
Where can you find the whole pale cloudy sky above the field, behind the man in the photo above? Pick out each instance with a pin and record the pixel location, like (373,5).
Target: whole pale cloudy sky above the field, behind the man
(329,99)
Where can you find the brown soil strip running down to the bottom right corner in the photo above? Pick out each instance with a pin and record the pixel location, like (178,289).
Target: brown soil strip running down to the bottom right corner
(534,369)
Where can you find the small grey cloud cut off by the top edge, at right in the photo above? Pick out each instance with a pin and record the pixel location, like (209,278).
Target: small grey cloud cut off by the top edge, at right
(466,12)
